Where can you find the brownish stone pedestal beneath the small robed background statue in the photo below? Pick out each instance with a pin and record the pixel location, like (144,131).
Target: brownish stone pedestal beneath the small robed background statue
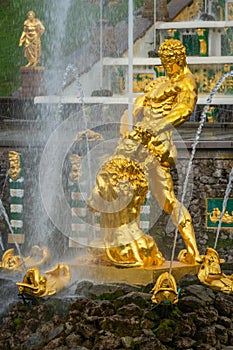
(32,82)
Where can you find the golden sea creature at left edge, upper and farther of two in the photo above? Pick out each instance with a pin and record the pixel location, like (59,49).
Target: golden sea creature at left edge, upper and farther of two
(37,257)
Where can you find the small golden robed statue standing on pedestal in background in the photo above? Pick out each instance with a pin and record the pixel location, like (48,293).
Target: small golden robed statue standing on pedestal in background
(33,29)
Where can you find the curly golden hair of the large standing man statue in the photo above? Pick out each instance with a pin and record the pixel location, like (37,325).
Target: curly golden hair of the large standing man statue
(173,47)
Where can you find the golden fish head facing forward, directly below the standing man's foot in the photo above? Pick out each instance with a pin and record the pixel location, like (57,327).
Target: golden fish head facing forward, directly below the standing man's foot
(165,290)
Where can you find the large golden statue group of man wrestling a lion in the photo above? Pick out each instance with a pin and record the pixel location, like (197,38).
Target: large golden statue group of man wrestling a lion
(147,154)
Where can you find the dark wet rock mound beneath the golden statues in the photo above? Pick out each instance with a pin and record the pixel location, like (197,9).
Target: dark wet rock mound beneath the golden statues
(202,319)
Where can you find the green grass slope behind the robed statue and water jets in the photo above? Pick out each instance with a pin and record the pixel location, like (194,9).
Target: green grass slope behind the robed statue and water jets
(82,16)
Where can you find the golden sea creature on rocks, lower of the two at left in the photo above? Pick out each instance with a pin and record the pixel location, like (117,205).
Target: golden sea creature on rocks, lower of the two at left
(39,285)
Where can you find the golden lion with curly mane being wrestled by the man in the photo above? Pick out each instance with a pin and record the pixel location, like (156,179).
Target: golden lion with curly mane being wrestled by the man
(125,242)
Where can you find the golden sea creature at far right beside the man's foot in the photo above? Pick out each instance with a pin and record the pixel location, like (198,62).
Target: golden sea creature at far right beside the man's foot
(211,275)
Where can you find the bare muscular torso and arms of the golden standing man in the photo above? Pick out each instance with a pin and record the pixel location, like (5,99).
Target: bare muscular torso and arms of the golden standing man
(166,104)
